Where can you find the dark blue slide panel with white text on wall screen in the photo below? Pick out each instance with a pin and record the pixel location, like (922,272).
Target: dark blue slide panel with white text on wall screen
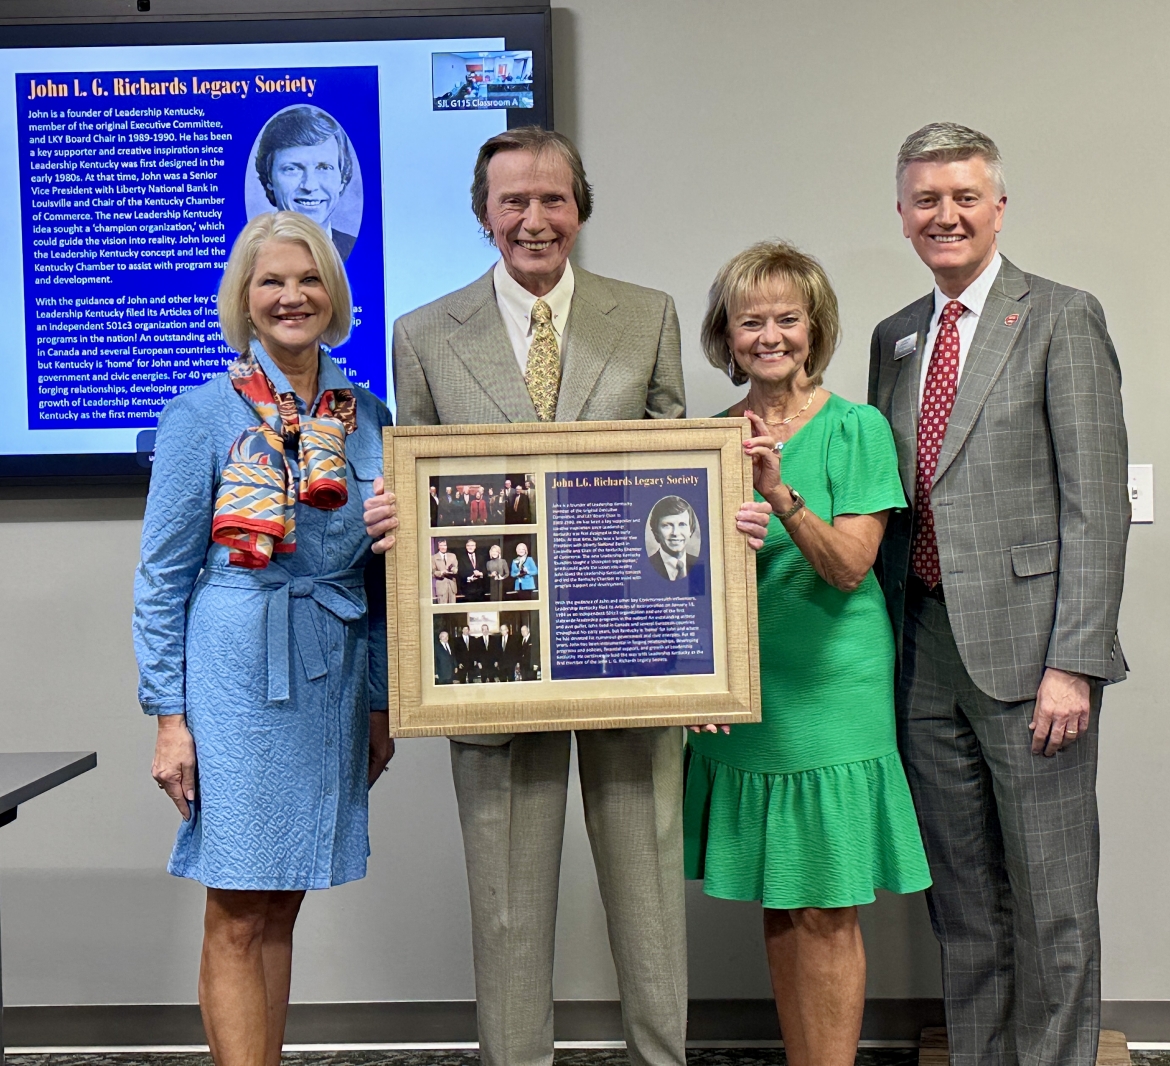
(349,94)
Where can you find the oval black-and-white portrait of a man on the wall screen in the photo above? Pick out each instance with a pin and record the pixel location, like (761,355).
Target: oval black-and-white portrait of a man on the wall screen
(304,162)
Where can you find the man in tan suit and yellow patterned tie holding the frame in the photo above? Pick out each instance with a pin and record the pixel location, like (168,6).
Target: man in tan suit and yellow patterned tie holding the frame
(536,339)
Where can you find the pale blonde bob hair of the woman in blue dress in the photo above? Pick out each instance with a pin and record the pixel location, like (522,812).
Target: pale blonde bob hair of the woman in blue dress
(242,265)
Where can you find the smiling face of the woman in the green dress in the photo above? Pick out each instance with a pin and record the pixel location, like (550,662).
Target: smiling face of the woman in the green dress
(769,336)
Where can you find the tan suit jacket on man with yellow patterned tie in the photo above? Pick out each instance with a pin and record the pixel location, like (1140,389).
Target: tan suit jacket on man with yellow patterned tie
(621,359)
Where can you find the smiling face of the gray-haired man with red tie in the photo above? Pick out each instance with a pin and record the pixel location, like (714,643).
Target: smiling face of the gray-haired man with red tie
(952,214)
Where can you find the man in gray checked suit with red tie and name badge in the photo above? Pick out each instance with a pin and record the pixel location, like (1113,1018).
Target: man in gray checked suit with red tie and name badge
(1004,583)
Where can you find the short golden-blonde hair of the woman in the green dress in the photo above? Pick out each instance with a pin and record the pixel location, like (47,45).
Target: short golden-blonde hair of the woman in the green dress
(755,270)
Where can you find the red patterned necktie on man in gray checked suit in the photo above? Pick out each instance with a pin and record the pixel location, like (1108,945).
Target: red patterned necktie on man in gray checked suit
(938,401)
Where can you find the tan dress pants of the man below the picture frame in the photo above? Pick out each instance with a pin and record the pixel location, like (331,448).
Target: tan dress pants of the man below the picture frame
(512,804)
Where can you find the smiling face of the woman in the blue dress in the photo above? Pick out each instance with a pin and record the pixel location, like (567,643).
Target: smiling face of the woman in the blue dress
(288,302)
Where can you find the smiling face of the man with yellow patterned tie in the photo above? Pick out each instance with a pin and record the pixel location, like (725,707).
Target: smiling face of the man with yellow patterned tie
(533,216)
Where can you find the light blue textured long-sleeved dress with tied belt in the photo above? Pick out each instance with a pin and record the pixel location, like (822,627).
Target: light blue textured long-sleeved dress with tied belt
(277,670)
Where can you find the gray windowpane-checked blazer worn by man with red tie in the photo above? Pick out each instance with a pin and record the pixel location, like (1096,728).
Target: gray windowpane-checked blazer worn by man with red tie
(1030,498)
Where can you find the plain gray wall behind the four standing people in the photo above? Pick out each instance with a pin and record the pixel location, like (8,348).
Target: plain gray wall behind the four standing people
(705,127)
